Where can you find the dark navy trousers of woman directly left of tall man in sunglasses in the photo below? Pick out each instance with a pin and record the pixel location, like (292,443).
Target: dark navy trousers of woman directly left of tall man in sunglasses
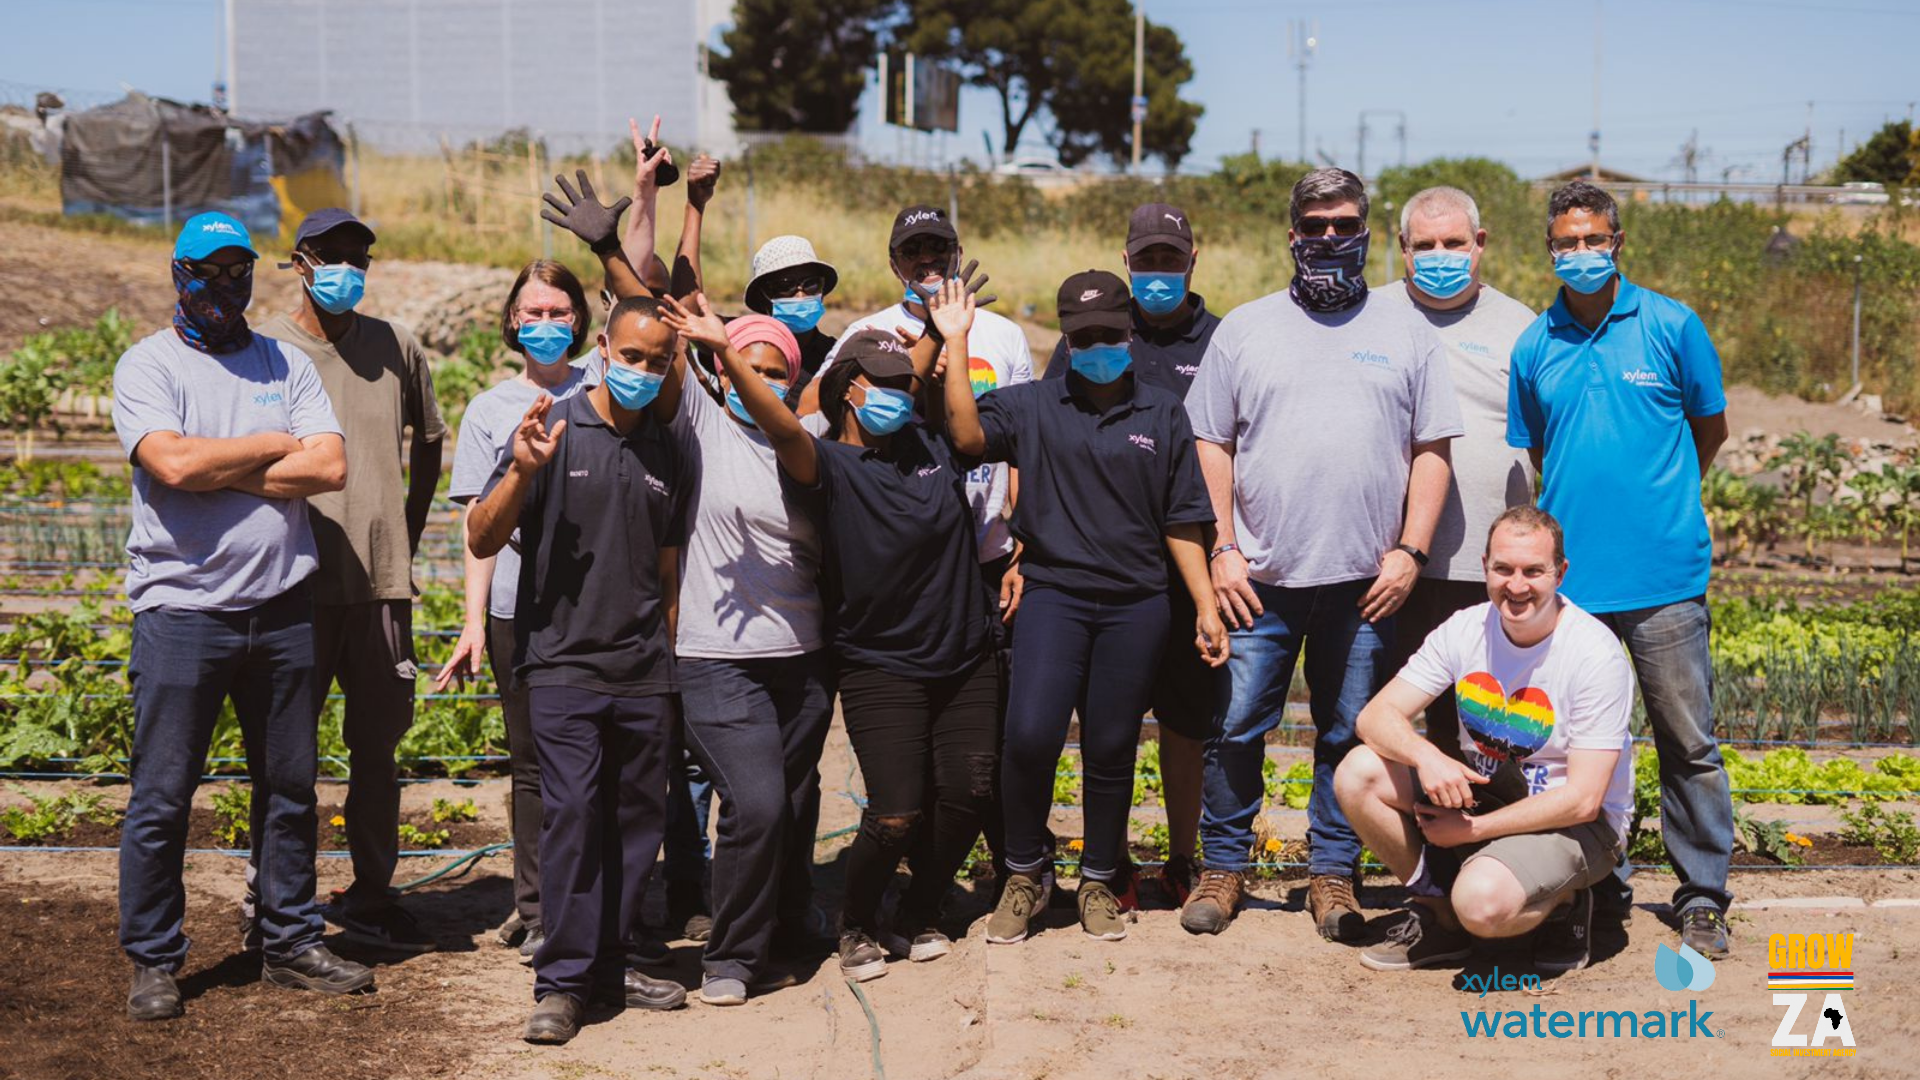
(1095,658)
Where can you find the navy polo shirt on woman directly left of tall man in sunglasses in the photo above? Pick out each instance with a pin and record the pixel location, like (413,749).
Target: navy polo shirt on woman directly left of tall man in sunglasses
(1097,491)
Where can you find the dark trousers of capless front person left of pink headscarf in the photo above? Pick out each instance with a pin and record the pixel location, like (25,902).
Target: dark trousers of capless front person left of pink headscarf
(604,787)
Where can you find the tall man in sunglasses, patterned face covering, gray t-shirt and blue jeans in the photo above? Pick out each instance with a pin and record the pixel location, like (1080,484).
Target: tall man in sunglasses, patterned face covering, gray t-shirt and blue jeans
(1324,422)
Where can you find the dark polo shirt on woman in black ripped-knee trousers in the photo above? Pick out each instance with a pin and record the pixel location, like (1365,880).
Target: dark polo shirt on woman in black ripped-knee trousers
(900,568)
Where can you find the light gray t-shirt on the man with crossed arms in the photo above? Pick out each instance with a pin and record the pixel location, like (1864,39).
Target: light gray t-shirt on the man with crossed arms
(220,551)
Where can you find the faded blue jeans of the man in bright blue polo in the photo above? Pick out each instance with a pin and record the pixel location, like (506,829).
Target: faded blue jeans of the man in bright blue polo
(1675,672)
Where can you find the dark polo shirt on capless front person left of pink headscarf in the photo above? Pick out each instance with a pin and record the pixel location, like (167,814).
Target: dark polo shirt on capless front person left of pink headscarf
(592,531)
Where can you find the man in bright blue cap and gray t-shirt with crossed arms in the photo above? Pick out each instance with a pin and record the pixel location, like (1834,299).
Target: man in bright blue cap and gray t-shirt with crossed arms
(229,433)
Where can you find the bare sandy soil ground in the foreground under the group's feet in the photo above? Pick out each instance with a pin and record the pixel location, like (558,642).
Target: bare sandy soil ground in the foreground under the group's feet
(1266,998)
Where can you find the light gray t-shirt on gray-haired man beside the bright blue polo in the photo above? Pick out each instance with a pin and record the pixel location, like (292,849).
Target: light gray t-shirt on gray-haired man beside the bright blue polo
(1489,476)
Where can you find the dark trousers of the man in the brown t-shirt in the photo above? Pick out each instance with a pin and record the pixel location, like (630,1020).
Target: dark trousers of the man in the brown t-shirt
(370,650)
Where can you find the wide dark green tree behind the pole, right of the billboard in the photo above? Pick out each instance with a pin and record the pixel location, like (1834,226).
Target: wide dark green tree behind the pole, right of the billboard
(1065,59)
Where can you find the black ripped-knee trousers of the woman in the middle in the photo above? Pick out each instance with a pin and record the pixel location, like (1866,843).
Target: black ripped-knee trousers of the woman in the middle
(928,750)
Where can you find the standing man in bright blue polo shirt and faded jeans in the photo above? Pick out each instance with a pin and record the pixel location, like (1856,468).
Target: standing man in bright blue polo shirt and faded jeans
(1616,393)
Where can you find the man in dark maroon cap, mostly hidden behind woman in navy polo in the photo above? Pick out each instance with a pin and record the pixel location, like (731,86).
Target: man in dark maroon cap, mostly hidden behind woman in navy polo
(1172,328)
